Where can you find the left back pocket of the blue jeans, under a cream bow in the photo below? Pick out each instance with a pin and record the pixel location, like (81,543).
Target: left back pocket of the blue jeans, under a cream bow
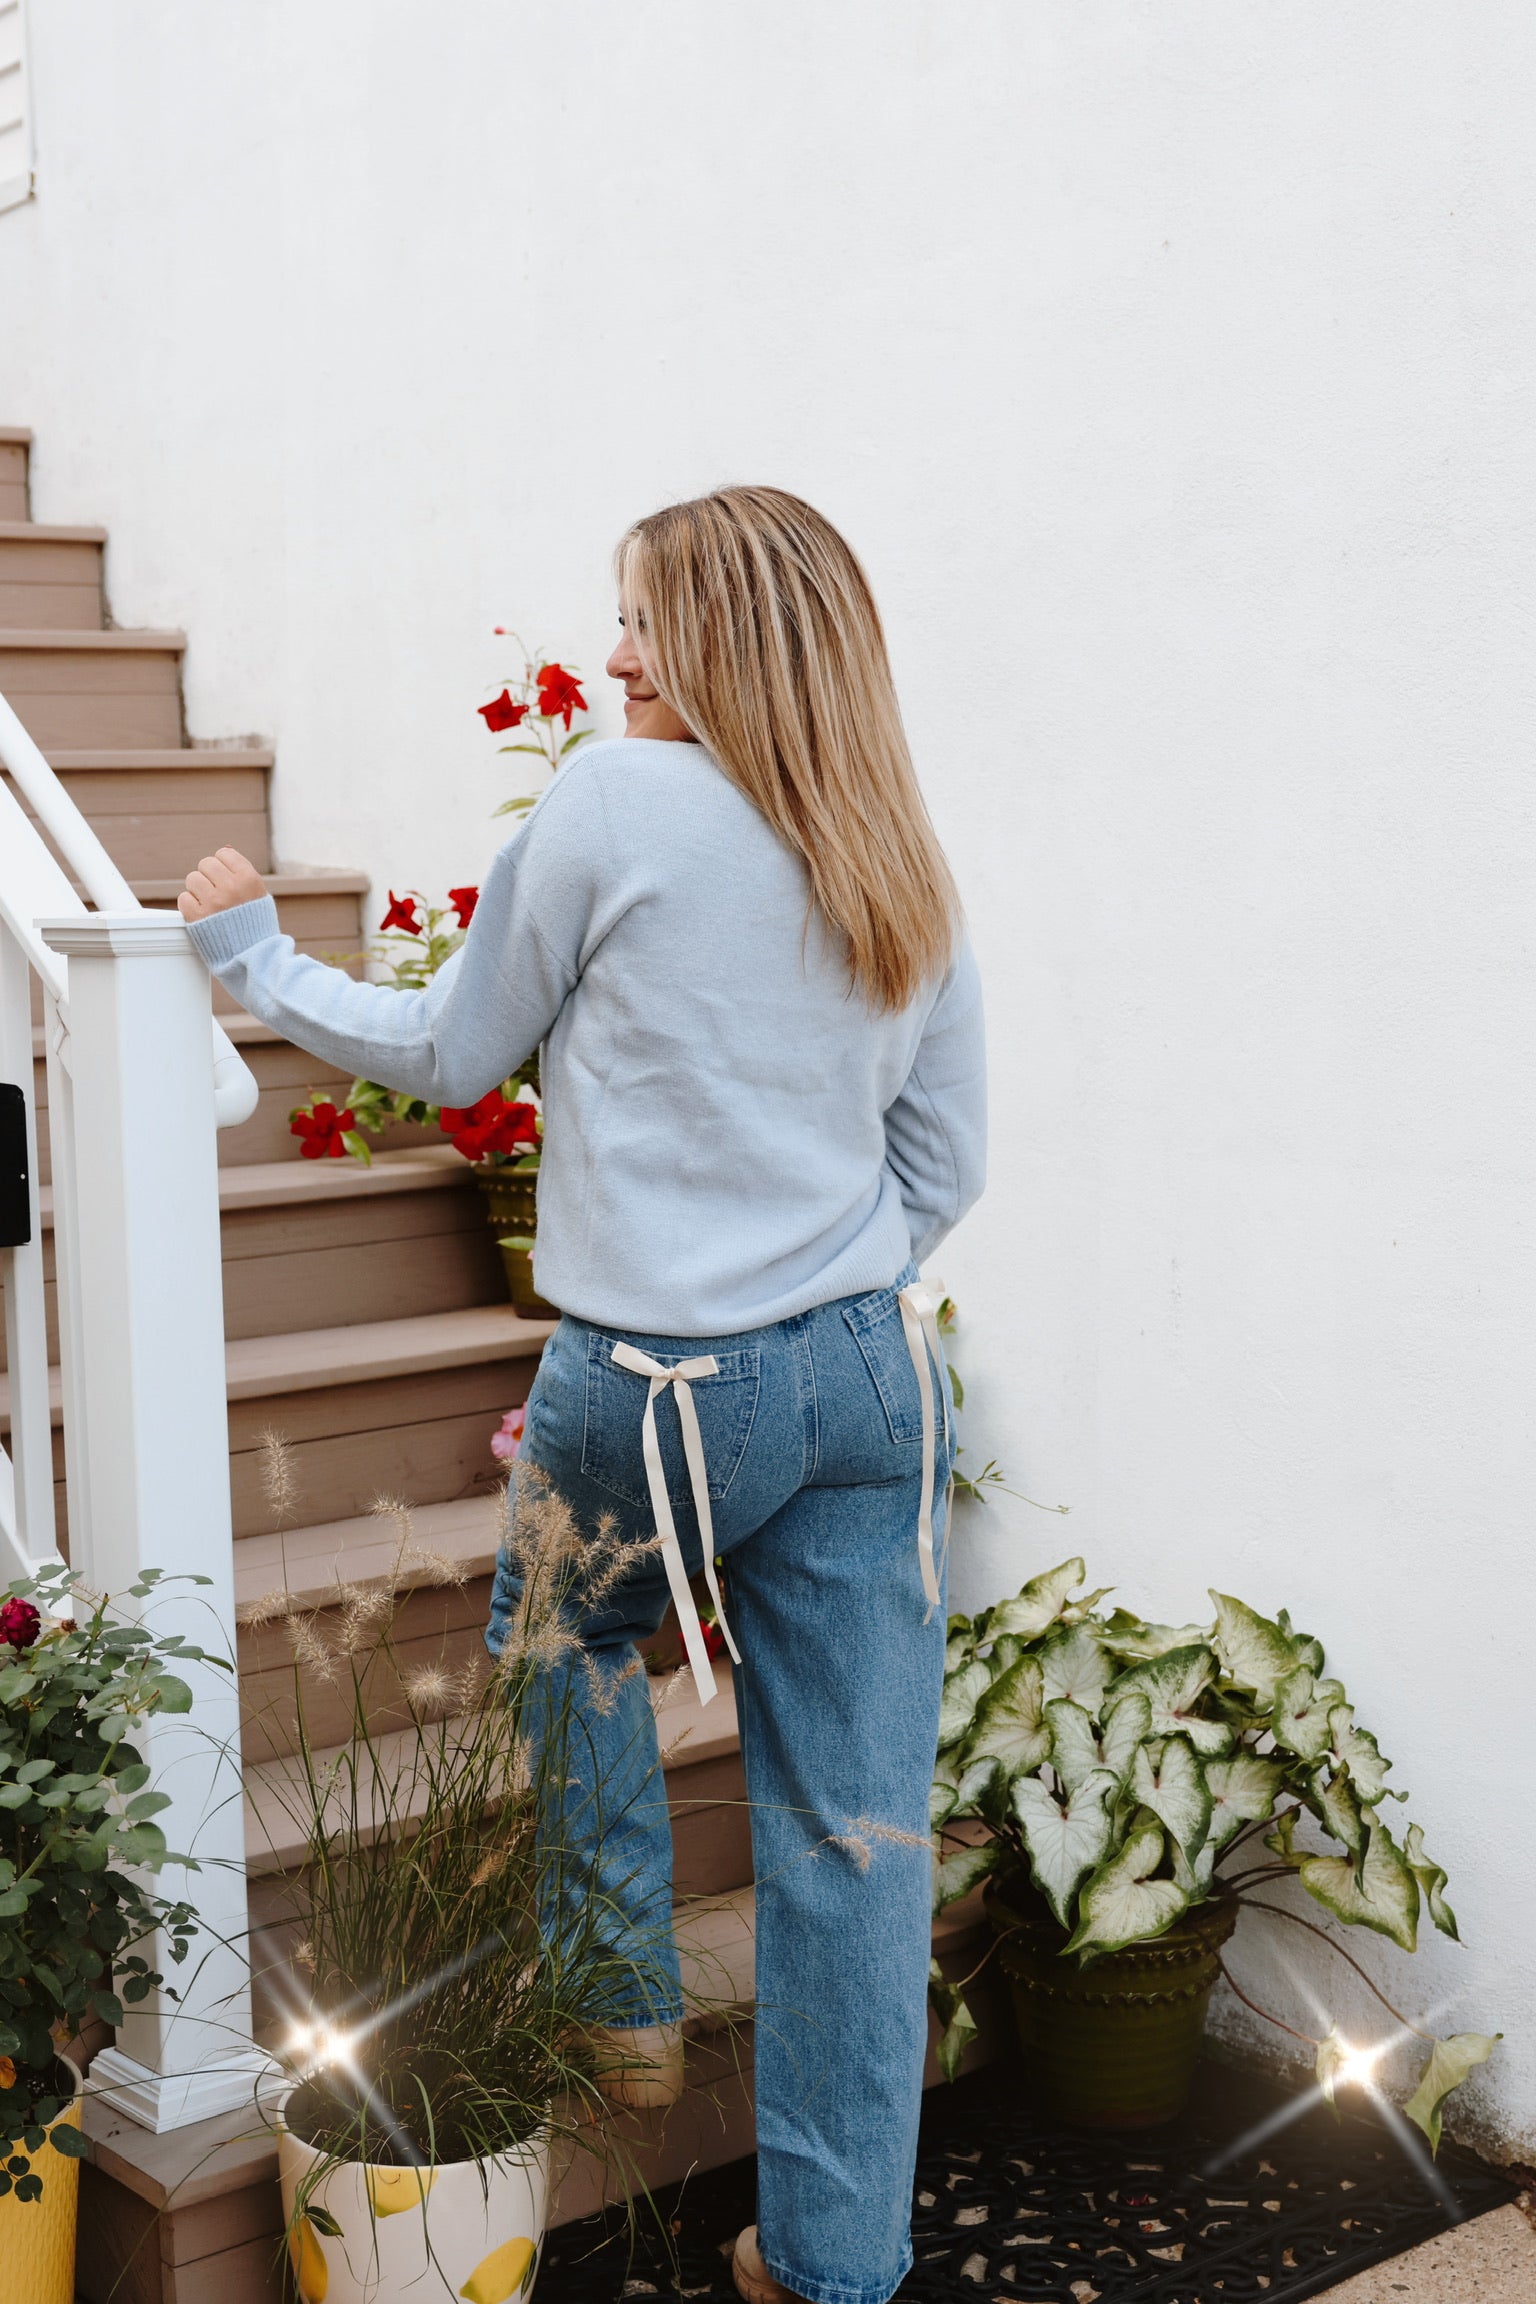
(614,1450)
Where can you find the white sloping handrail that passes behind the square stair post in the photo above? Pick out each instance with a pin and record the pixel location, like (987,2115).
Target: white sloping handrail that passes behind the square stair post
(33,888)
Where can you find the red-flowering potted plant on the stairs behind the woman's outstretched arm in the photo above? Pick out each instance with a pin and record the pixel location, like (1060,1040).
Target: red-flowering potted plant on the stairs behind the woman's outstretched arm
(501,1137)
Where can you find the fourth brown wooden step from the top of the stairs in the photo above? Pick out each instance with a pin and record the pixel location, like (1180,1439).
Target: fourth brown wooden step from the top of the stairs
(158,812)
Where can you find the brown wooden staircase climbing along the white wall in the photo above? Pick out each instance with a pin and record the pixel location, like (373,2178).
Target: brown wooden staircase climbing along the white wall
(367,1324)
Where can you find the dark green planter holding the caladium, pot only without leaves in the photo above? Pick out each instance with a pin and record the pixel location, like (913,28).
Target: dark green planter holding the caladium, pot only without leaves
(1111,2045)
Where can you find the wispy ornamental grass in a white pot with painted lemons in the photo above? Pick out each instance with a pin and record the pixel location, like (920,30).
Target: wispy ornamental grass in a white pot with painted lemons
(457,1964)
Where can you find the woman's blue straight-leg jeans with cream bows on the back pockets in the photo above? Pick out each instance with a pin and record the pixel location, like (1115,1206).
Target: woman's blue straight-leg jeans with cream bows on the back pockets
(814,1446)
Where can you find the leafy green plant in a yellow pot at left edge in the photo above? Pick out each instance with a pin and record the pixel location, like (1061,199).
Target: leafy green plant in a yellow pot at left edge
(77,1849)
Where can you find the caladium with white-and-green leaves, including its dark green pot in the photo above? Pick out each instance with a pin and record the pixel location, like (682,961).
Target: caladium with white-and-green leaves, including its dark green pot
(1125,1789)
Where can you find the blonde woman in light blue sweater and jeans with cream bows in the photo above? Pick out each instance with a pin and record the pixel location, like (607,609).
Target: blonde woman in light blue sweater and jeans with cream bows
(738,943)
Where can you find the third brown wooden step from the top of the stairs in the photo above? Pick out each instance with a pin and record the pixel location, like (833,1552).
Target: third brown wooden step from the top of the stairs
(96,688)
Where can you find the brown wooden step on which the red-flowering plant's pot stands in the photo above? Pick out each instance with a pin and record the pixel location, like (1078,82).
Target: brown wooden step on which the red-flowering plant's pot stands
(381,1409)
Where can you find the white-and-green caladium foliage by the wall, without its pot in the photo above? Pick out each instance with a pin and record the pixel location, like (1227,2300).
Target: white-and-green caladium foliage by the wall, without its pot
(1130,1771)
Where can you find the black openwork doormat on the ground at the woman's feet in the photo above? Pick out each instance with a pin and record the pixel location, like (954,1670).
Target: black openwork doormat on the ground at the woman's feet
(1245,2199)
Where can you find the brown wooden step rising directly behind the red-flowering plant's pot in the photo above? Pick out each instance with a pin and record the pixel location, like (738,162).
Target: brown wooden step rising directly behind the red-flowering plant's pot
(317,1243)
